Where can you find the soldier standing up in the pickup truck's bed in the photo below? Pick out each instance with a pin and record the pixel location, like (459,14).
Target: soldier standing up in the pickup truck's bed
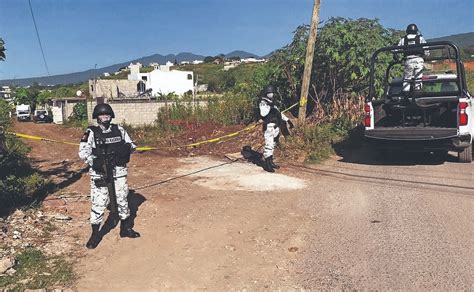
(413,58)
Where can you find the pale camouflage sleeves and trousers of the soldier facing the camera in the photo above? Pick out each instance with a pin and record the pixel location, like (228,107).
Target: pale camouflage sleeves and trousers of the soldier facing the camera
(99,191)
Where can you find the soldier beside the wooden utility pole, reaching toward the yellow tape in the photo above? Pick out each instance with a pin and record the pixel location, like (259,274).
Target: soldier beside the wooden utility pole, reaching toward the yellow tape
(273,119)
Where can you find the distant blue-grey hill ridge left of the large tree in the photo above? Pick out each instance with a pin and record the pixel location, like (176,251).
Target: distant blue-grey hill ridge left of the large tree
(78,77)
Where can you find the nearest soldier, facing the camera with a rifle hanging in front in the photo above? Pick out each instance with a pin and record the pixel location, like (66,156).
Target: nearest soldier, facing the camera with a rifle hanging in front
(107,148)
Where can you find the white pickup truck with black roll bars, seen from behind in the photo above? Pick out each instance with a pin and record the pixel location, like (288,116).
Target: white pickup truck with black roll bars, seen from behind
(437,118)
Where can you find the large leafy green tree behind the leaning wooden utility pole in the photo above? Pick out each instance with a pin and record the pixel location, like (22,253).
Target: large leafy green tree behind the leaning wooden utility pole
(341,60)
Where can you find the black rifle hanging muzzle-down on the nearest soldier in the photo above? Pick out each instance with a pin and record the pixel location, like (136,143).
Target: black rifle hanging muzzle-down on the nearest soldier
(108,164)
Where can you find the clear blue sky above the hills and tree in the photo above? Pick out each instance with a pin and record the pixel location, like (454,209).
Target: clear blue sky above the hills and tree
(77,34)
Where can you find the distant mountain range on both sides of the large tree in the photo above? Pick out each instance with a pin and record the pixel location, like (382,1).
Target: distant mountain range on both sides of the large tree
(465,41)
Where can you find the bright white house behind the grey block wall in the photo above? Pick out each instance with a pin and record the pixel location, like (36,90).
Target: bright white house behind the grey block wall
(164,80)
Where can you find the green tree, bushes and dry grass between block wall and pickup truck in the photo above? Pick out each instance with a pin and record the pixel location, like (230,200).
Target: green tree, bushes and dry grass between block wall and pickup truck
(339,83)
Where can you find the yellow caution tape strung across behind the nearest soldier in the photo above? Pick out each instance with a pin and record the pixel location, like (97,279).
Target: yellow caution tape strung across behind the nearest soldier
(213,140)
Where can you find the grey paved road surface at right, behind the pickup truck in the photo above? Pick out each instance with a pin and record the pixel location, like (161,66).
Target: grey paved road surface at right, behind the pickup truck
(383,225)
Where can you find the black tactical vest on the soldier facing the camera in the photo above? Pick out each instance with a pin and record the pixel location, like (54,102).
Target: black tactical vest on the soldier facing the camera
(113,142)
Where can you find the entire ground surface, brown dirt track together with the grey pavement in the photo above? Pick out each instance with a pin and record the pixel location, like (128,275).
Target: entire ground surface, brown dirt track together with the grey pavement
(208,223)
